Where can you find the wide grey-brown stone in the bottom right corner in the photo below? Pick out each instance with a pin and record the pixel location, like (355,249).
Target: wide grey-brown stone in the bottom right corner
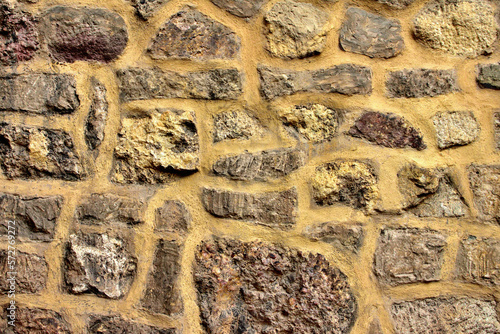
(446,315)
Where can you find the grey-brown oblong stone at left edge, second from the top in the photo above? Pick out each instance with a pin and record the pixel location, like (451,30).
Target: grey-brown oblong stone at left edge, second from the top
(39,93)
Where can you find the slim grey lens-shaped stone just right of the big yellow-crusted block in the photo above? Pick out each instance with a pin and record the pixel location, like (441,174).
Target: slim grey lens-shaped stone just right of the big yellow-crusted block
(260,166)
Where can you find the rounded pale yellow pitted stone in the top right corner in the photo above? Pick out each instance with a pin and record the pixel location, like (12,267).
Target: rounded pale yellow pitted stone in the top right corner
(458,27)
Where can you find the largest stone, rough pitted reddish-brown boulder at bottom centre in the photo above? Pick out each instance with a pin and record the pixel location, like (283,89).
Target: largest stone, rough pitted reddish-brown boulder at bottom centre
(258,288)
